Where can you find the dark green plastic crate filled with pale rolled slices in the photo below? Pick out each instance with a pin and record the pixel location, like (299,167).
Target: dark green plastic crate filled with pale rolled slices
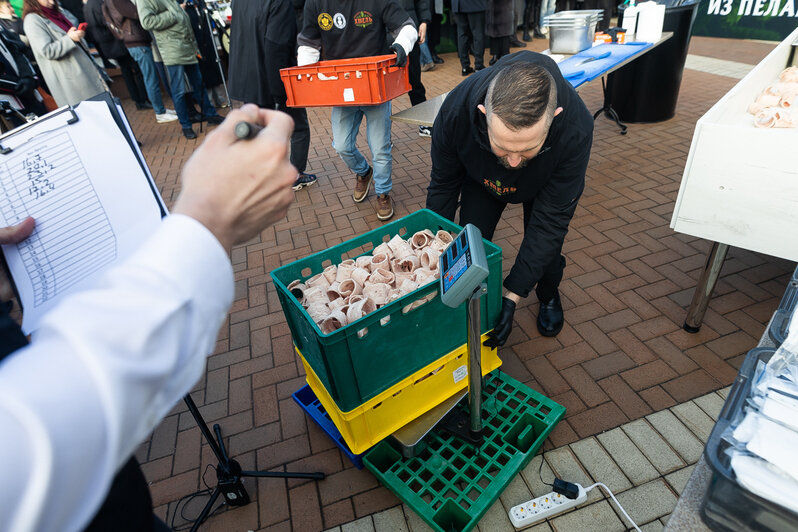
(357,362)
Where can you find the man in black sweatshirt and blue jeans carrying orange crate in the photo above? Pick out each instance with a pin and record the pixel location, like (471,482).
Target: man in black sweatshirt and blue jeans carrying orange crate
(357,28)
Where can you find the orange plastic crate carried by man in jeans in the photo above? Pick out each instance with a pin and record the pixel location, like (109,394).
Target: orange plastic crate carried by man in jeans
(357,81)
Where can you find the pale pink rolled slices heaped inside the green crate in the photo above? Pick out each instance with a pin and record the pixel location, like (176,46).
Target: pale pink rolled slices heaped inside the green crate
(342,294)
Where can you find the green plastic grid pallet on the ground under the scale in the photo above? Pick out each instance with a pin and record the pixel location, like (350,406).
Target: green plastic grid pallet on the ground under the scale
(450,484)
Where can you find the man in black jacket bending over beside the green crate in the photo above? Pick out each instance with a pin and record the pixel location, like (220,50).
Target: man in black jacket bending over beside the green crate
(515,133)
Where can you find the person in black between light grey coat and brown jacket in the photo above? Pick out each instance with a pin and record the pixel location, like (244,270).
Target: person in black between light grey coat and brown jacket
(115,49)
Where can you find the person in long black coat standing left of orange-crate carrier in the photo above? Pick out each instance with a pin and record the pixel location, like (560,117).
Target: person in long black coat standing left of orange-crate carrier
(262,41)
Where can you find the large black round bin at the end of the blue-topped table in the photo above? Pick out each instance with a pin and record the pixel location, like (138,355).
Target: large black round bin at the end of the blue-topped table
(647,89)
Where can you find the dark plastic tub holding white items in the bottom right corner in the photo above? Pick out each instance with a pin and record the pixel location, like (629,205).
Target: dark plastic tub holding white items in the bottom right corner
(727,506)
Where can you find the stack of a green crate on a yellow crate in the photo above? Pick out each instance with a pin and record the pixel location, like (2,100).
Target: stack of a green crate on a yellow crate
(379,373)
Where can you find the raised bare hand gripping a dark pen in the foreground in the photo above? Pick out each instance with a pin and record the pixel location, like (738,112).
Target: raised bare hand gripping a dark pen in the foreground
(238,188)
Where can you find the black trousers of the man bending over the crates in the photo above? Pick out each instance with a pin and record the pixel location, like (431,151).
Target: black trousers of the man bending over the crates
(479,207)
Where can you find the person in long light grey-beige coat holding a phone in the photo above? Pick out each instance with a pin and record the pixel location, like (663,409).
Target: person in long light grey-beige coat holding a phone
(63,57)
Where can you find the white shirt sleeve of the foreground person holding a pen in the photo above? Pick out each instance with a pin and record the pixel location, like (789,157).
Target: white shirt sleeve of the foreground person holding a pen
(103,369)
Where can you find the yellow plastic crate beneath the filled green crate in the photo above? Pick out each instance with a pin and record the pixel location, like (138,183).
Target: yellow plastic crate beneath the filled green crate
(379,417)
